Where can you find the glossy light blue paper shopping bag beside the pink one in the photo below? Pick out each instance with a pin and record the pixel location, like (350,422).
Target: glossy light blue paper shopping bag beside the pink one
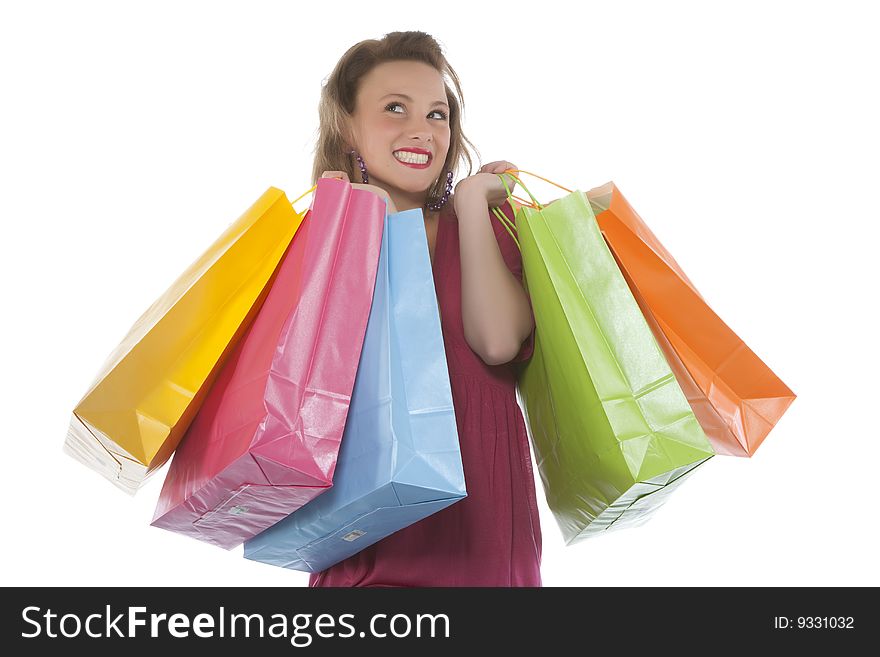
(400,459)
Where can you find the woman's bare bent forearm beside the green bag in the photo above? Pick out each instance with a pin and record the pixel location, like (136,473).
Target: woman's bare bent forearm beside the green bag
(494,306)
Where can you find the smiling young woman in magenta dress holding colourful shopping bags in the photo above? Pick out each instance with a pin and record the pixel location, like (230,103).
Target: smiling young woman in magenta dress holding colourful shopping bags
(390,123)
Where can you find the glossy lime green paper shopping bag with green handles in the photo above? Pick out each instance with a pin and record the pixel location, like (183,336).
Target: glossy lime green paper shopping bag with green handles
(612,431)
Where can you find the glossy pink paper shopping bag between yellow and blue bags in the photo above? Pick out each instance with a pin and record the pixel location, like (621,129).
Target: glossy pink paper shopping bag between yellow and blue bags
(266,439)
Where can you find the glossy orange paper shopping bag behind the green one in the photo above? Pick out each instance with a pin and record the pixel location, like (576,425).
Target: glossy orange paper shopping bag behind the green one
(736,397)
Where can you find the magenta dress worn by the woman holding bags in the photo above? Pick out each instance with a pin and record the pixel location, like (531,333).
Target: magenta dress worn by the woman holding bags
(493,536)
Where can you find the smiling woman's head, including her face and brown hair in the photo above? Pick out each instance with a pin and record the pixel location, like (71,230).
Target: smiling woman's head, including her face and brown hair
(377,87)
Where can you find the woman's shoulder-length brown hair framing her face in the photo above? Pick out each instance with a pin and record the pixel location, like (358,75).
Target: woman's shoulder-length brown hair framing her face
(339,93)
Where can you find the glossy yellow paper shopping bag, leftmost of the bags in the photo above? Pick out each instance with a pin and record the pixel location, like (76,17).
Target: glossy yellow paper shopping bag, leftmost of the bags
(146,394)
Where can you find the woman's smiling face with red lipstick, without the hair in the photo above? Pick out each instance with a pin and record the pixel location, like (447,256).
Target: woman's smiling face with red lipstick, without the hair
(402,105)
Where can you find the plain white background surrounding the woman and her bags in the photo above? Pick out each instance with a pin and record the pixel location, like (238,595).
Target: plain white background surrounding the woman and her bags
(745,135)
